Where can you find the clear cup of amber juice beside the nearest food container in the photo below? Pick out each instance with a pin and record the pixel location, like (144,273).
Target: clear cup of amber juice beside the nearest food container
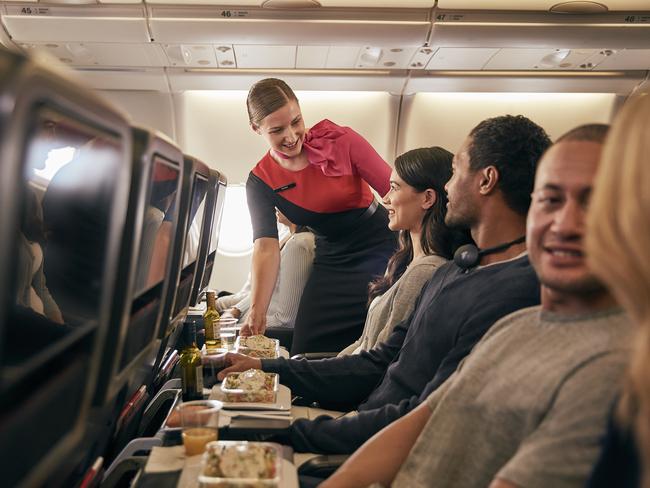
(199,424)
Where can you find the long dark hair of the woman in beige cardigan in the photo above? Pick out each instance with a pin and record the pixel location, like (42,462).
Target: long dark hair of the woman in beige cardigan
(423,168)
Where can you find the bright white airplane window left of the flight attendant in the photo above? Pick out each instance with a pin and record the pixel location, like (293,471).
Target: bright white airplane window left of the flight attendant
(236,233)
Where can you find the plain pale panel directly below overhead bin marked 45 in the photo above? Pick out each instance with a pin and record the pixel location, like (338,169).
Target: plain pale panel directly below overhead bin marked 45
(103,54)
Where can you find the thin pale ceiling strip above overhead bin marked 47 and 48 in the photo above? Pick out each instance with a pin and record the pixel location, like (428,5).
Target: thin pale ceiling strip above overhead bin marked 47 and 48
(612,5)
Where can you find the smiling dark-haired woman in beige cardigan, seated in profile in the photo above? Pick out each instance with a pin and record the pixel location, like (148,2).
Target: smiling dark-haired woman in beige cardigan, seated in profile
(417,205)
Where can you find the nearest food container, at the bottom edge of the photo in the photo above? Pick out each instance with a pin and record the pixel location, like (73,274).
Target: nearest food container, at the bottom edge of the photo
(241,464)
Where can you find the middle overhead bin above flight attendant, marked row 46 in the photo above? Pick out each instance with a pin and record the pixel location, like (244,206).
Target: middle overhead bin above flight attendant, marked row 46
(401,27)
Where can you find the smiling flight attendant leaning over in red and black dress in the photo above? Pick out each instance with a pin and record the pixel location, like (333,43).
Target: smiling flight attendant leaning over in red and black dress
(320,178)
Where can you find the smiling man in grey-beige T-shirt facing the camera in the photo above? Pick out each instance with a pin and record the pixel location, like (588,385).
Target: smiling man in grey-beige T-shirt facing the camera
(528,406)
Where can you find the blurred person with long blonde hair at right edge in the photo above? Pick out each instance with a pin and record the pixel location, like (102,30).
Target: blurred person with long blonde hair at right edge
(617,243)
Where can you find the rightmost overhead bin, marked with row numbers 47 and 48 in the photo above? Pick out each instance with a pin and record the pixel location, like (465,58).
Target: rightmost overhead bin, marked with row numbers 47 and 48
(464,28)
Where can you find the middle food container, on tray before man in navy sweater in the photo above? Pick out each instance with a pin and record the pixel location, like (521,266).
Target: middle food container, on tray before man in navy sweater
(251,386)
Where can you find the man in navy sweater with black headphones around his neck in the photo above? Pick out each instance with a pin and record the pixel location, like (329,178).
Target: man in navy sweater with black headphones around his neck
(489,193)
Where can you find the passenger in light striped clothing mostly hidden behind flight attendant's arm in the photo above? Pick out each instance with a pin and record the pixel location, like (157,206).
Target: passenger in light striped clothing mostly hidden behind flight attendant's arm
(296,257)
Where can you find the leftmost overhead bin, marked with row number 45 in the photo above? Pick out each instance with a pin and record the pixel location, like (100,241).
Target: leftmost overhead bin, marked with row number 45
(91,23)
